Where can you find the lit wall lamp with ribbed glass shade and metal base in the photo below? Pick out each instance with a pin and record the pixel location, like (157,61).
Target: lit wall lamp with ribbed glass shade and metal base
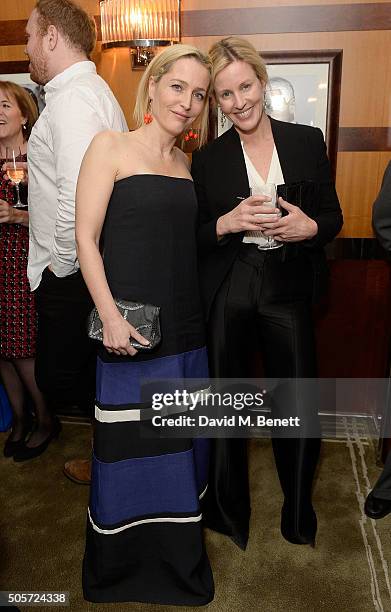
(141,25)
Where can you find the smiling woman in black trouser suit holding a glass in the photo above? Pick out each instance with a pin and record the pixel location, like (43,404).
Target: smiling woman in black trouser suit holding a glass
(252,292)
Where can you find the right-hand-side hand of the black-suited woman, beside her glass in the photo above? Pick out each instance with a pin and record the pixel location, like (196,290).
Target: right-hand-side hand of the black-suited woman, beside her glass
(293,227)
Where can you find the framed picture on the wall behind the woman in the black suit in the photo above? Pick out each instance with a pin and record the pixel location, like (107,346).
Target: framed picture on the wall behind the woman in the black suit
(304,87)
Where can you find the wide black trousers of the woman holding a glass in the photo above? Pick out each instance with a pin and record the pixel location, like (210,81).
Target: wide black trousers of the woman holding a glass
(264,301)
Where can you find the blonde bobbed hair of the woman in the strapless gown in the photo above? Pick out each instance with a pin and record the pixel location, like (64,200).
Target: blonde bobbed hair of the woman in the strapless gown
(160,65)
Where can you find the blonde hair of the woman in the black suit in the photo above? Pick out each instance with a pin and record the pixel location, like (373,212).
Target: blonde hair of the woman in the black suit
(232,49)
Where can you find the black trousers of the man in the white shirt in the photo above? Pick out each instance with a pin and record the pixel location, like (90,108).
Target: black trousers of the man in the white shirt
(66,358)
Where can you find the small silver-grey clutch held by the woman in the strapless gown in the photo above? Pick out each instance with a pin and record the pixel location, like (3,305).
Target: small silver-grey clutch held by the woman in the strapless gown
(143,317)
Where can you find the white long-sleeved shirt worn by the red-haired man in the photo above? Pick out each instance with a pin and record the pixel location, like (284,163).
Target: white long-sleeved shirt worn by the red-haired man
(79,104)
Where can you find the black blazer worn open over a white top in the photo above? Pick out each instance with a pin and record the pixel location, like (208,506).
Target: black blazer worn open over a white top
(220,177)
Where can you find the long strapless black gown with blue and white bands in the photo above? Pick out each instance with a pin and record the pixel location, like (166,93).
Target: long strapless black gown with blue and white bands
(144,533)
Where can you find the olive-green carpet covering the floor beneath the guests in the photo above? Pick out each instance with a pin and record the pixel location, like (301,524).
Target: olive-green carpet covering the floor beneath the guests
(42,521)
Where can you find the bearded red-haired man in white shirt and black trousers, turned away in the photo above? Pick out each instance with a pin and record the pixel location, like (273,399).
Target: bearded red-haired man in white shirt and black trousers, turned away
(79,104)
